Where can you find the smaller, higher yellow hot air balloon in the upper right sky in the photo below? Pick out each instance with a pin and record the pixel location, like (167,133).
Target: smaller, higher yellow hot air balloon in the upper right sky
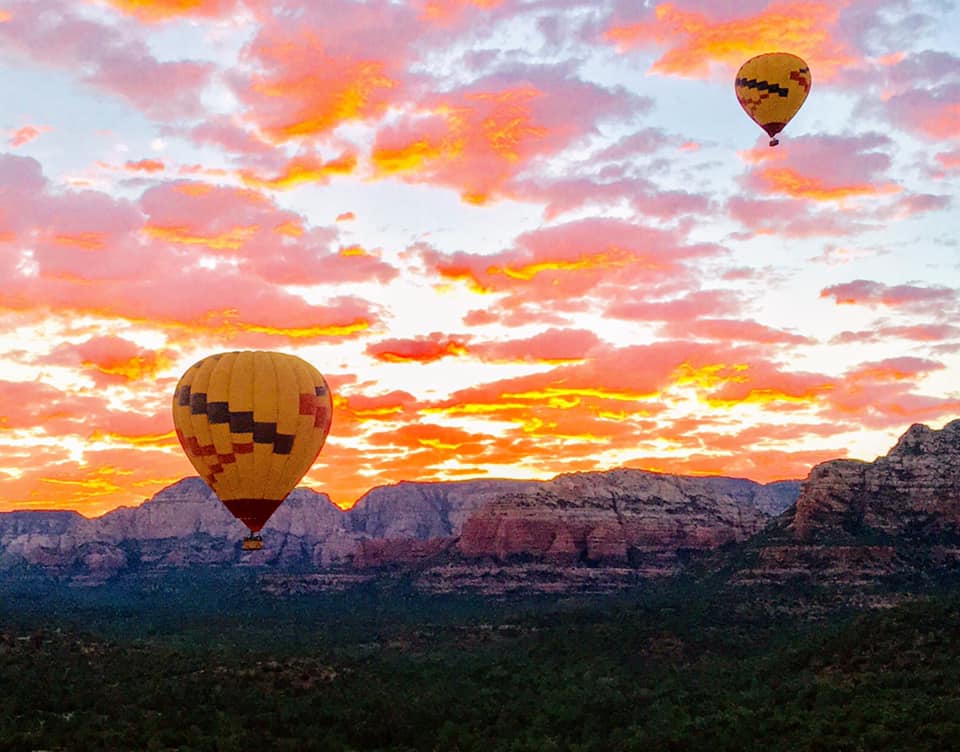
(771,88)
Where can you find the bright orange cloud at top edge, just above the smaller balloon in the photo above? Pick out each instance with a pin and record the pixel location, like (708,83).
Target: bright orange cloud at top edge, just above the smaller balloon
(695,40)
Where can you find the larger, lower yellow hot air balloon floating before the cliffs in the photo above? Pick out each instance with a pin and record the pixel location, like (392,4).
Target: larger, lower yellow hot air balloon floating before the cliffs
(252,423)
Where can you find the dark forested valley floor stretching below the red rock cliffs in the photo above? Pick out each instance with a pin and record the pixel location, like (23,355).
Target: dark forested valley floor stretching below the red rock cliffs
(192,662)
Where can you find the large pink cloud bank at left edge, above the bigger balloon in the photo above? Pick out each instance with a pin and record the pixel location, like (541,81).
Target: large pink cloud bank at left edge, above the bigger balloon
(95,254)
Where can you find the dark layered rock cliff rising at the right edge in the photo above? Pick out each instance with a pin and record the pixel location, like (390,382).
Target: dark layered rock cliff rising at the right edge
(856,522)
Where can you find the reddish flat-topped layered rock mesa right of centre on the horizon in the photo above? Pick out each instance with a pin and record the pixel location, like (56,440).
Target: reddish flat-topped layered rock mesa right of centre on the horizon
(619,517)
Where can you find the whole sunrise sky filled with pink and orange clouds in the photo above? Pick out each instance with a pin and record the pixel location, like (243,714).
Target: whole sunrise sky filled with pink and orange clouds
(518,237)
